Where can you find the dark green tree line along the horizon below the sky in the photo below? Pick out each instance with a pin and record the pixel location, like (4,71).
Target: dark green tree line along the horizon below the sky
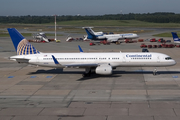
(158,17)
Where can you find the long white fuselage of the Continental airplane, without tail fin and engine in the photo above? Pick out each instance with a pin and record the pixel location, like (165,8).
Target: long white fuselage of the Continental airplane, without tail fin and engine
(113,59)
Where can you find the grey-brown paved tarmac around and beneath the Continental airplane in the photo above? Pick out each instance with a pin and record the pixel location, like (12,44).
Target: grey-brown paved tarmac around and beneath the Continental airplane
(132,93)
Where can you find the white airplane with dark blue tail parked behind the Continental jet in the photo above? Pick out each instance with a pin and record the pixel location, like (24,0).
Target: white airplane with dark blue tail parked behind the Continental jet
(110,38)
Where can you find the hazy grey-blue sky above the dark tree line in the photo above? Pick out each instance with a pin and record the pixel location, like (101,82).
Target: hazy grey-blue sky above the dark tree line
(85,7)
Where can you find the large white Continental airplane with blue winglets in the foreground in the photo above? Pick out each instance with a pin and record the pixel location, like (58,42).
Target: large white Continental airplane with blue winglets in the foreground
(100,63)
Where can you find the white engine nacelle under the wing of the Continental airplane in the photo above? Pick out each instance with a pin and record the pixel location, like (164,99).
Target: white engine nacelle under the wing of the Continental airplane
(104,70)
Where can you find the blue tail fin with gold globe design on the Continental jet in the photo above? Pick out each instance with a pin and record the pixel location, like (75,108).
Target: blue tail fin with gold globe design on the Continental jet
(22,46)
